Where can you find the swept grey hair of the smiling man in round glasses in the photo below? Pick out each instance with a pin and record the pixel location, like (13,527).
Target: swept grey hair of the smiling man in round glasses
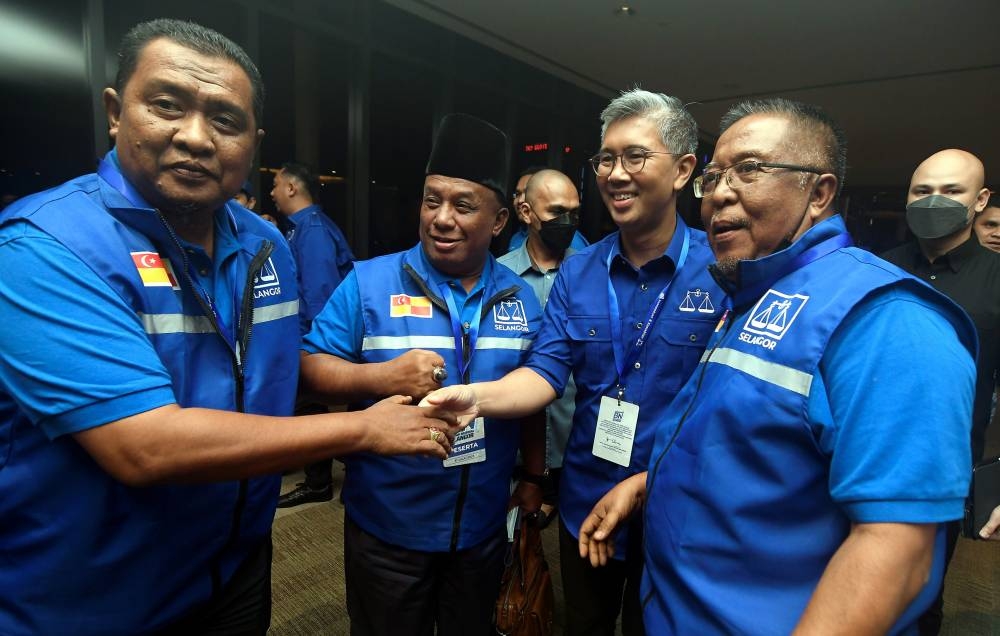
(678,129)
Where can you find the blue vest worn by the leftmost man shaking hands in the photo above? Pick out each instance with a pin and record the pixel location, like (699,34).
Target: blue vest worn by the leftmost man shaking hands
(86,554)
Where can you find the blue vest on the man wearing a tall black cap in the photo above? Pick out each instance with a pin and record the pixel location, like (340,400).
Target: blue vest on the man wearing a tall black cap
(415,502)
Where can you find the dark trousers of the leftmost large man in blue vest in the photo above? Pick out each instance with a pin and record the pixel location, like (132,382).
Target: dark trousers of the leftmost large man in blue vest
(241,608)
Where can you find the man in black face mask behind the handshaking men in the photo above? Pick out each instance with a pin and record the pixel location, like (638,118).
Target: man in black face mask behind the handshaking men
(550,210)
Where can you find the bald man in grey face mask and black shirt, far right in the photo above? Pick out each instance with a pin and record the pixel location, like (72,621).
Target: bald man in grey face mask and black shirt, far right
(945,198)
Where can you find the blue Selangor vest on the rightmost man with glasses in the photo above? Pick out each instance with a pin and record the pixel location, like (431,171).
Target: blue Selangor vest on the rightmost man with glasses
(740,523)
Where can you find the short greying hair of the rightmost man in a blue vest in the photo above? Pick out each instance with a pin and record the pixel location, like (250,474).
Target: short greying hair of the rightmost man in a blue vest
(828,150)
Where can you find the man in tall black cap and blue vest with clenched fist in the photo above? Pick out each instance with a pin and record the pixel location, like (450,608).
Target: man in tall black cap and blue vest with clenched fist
(424,539)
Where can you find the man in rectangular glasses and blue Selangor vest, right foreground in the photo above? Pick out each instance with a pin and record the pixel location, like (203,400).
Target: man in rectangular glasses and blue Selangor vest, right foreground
(800,480)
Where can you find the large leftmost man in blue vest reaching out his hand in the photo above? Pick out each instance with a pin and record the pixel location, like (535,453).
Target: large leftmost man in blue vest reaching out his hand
(136,410)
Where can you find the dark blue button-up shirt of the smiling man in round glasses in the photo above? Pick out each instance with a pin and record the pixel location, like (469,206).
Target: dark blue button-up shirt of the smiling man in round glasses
(576,338)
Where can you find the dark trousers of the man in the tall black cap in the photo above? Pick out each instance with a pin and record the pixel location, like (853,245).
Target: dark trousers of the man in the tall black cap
(392,590)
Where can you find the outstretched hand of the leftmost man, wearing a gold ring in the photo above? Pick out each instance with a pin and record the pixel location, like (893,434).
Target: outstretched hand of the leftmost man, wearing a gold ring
(398,429)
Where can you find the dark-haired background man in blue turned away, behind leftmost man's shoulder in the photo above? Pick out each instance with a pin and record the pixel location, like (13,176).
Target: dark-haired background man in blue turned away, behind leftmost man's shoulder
(323,258)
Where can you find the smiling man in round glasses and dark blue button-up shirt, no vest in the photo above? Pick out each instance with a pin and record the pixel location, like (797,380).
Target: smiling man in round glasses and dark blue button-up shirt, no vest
(628,317)
